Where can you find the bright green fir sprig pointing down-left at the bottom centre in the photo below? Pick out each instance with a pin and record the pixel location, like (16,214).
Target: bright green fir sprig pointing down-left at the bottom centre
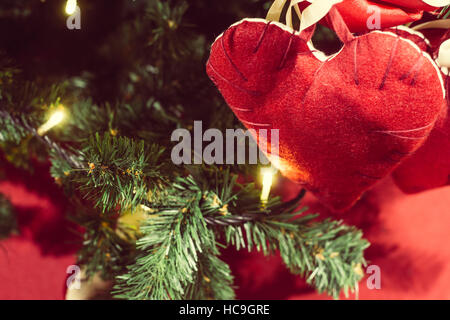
(170,246)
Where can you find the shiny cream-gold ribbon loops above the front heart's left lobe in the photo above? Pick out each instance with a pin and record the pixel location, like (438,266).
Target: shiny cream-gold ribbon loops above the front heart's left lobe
(310,16)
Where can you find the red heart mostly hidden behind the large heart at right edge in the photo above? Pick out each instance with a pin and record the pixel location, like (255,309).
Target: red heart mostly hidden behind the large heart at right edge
(429,167)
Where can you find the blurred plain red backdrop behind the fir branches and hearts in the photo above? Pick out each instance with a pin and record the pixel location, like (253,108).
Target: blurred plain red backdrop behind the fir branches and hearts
(408,235)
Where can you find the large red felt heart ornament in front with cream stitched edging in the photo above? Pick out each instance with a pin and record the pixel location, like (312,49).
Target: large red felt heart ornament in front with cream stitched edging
(345,121)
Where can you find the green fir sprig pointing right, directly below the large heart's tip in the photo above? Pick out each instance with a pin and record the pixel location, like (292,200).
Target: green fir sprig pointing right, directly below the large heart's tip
(327,253)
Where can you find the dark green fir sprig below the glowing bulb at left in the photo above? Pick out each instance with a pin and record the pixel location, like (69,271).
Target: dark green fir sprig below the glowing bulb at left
(120,172)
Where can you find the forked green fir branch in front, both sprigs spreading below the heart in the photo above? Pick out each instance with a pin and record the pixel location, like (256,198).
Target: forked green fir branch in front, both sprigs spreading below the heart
(327,252)
